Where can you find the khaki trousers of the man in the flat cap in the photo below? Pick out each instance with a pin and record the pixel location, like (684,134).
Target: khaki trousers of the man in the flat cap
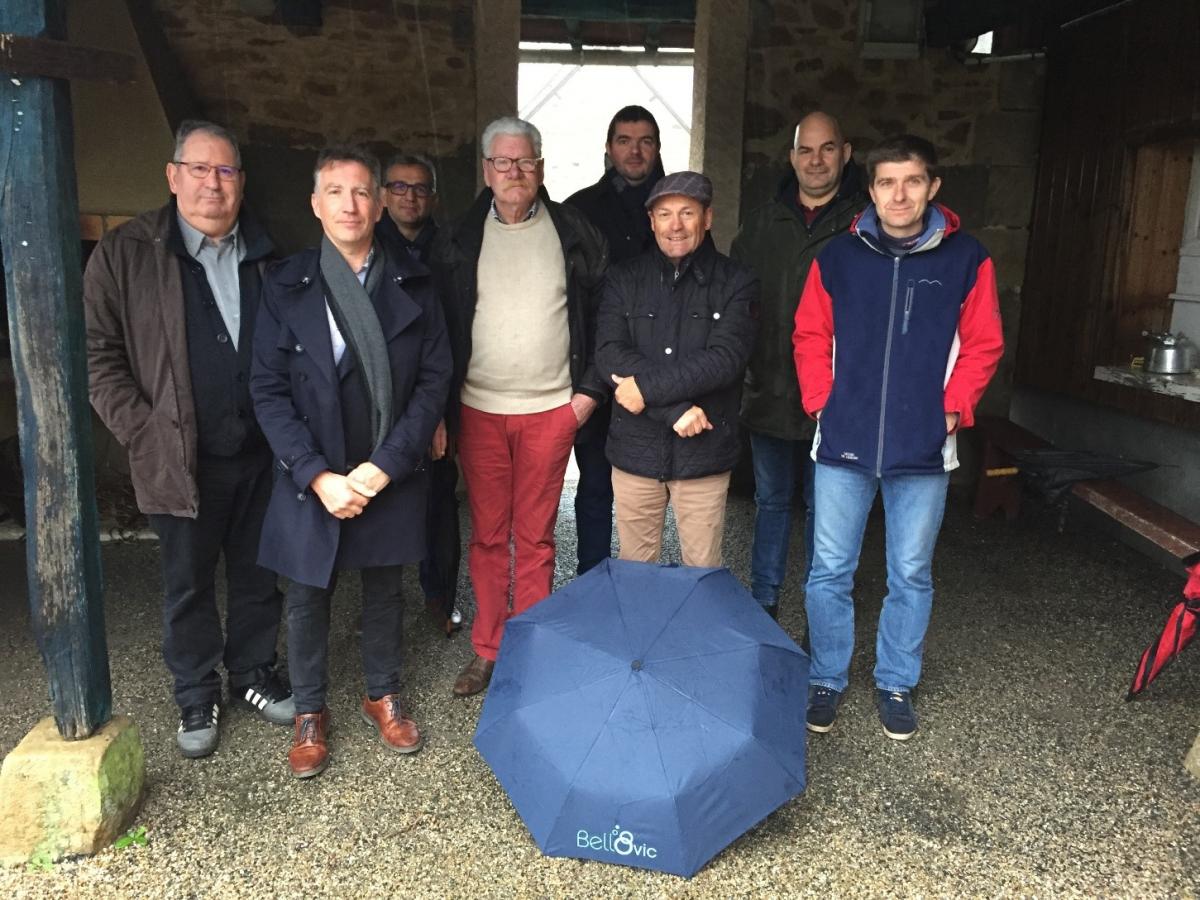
(699,505)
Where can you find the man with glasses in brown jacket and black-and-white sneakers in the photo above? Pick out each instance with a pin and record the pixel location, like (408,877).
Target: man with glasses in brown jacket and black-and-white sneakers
(171,301)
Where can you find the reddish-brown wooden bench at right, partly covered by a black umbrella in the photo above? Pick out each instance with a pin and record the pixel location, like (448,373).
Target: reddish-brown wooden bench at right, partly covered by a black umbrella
(1000,488)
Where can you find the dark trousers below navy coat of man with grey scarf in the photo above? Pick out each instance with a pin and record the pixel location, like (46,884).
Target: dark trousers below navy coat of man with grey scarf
(383,634)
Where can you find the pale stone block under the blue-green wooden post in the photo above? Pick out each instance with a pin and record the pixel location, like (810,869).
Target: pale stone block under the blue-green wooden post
(62,799)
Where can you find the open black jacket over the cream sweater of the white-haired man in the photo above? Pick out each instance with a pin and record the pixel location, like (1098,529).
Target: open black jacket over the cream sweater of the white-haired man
(455,261)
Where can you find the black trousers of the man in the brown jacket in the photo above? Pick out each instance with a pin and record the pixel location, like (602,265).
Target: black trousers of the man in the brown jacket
(233,495)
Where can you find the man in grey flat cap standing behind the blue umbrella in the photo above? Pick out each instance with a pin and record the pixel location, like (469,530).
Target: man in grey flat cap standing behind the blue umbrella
(675,335)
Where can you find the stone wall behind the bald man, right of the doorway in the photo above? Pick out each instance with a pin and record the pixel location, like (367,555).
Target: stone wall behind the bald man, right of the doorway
(983,119)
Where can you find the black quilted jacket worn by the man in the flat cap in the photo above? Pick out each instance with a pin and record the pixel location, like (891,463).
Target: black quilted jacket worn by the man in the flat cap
(688,341)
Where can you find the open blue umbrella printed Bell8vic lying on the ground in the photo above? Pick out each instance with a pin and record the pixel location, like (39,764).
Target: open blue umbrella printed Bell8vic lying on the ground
(646,716)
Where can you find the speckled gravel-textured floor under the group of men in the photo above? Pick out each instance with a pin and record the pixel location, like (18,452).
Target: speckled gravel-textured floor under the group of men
(1030,776)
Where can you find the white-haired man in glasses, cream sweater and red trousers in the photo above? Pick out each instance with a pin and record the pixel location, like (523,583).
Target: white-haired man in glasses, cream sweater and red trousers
(520,278)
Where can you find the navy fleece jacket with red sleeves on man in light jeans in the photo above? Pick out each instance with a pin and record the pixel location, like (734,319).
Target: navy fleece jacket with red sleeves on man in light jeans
(886,346)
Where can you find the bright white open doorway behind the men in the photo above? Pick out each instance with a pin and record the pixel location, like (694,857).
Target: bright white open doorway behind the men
(572,97)
